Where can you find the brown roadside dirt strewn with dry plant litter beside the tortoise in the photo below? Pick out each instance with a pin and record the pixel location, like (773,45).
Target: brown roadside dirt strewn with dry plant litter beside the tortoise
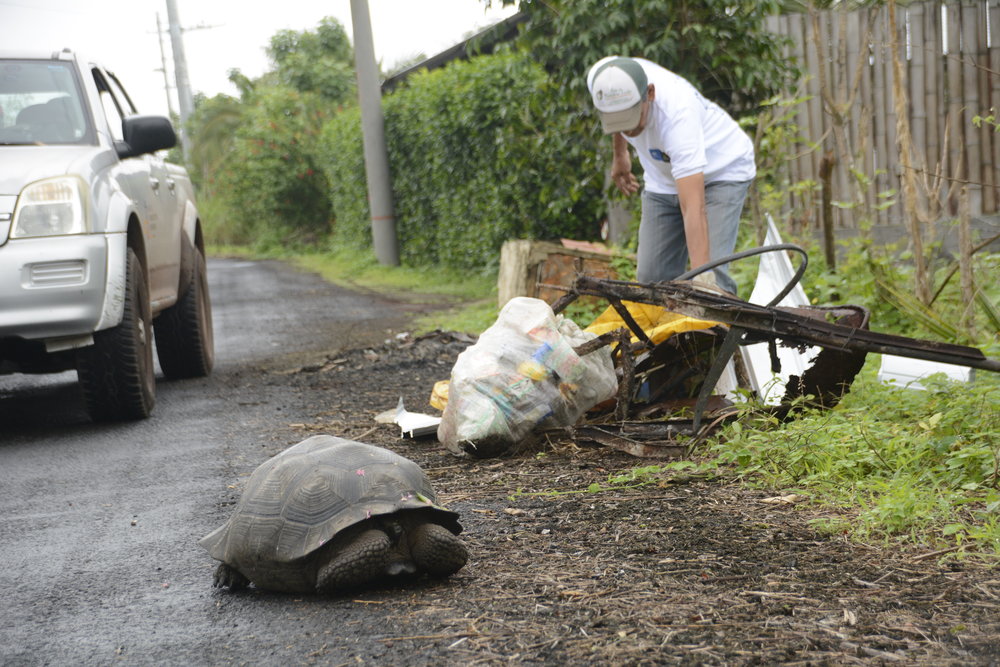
(690,572)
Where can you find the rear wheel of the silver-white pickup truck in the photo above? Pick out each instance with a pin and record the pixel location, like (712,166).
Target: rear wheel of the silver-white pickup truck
(184,339)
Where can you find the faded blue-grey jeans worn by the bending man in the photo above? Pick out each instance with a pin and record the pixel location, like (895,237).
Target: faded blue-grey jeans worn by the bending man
(662,253)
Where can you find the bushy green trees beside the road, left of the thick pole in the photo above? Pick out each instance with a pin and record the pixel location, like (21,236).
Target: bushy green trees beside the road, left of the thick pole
(257,154)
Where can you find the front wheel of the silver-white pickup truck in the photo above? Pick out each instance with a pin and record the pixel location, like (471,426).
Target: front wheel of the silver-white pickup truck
(116,372)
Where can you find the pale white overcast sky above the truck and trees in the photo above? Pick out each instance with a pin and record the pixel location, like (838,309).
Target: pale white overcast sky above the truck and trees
(223,34)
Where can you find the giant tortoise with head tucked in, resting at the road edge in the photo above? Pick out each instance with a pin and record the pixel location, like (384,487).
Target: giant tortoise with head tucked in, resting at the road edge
(330,514)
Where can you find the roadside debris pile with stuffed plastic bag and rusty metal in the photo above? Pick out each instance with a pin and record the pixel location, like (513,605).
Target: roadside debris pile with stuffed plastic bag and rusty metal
(656,373)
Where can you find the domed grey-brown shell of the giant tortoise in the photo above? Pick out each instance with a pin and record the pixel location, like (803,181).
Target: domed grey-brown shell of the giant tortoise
(296,501)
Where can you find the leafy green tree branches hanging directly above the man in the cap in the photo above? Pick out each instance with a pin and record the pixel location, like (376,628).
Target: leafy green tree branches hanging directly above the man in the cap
(721,46)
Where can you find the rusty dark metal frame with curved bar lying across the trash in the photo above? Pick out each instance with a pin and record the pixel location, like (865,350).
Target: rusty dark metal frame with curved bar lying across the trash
(842,333)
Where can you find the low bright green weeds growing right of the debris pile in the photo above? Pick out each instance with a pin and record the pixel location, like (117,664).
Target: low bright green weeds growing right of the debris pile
(905,465)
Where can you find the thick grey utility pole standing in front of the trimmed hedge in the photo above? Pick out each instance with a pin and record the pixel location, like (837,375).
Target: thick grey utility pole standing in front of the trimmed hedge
(384,237)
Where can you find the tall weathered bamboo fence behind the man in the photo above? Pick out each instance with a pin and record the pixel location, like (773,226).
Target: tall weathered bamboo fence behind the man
(950,56)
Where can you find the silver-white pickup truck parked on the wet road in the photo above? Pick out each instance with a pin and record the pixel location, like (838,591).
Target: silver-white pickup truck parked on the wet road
(100,242)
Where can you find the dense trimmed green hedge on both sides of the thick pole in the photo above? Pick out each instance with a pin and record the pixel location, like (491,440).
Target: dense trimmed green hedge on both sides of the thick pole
(479,153)
